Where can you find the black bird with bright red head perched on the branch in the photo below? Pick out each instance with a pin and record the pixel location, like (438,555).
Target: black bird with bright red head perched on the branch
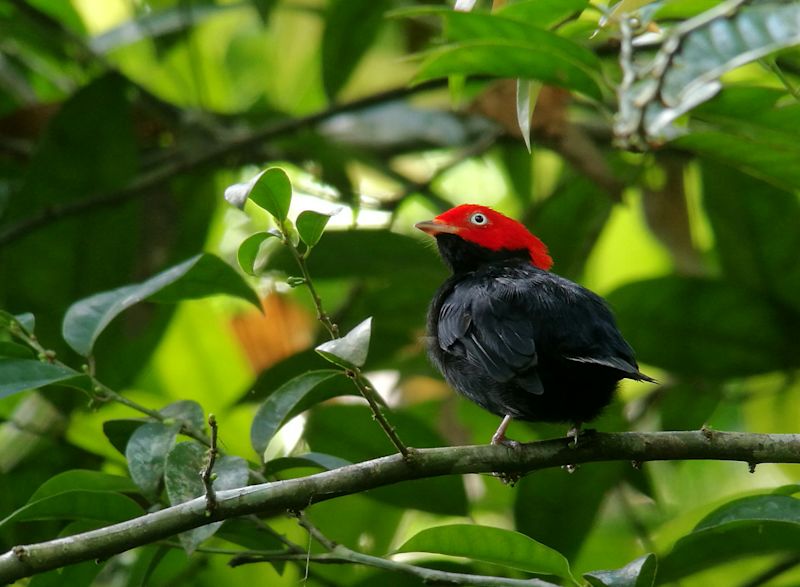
(518,340)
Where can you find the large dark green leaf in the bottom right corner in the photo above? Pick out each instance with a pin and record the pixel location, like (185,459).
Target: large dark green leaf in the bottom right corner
(745,527)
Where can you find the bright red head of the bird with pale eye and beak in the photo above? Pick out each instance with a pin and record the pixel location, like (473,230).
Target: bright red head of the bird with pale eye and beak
(488,228)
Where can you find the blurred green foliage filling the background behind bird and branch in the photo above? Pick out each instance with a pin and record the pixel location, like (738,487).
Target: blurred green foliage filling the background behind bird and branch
(123,123)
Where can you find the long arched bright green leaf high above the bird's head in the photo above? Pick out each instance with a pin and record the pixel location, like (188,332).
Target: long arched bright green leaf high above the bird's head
(510,58)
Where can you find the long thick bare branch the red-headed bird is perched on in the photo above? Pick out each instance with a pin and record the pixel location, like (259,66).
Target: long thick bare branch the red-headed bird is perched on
(274,498)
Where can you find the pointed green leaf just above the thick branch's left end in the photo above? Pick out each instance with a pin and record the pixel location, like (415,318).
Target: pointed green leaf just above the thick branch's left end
(103,506)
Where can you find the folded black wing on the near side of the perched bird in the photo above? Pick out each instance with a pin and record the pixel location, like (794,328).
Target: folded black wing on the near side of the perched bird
(487,321)
